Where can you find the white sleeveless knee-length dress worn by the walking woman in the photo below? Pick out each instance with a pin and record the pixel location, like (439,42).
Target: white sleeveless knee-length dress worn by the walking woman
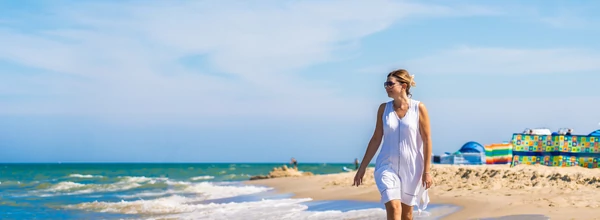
(399,166)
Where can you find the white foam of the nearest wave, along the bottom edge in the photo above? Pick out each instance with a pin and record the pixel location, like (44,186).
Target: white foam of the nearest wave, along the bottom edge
(177,207)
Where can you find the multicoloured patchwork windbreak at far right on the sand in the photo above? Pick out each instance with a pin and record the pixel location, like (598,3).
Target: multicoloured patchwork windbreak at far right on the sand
(557,150)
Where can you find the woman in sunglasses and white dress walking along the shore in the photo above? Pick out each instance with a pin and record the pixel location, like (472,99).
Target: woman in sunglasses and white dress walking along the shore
(402,169)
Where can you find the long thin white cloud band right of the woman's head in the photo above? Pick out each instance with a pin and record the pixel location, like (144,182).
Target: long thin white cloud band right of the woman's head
(505,61)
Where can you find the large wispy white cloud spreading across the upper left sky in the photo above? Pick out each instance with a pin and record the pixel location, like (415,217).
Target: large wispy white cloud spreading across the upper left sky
(124,57)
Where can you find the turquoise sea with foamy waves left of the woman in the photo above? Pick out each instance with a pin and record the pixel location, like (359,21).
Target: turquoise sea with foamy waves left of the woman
(162,191)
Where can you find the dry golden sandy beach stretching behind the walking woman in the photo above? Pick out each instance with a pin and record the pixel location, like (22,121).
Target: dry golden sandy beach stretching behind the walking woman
(482,191)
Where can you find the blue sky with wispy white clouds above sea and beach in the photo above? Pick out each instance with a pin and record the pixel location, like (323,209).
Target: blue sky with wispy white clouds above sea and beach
(225,81)
